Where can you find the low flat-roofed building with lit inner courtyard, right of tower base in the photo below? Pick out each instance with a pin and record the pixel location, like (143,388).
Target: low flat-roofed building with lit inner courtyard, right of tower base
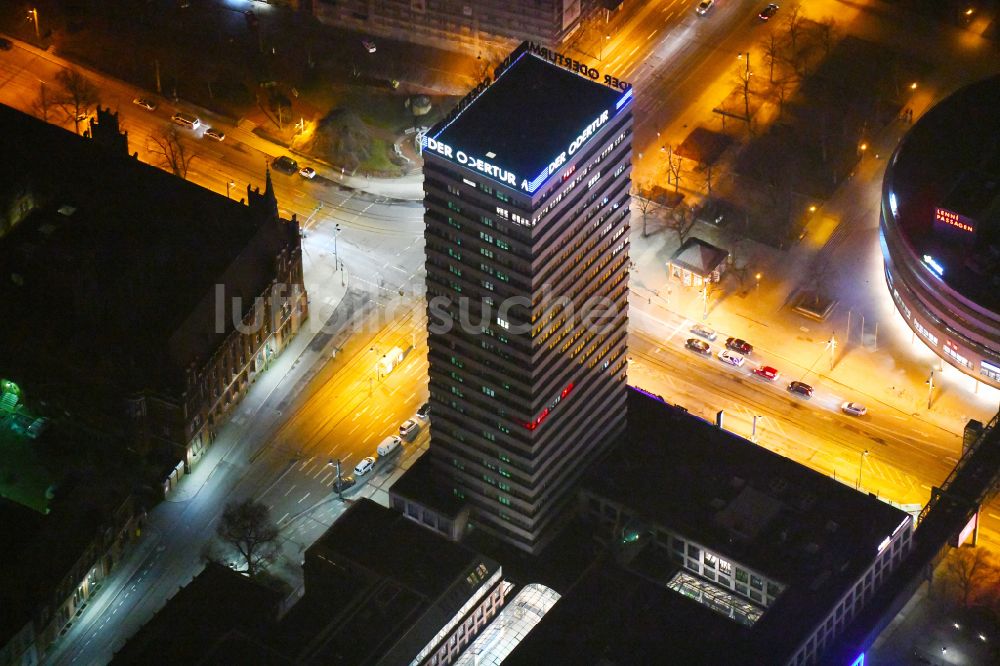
(731,553)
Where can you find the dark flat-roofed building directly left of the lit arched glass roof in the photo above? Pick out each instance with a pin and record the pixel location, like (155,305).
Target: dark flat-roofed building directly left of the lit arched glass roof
(378,586)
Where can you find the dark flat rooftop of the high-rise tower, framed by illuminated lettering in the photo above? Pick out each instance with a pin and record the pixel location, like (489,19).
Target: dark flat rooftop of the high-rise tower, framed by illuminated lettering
(528,116)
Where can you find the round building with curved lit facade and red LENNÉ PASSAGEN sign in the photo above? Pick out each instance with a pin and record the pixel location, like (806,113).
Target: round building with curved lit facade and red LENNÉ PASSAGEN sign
(940,229)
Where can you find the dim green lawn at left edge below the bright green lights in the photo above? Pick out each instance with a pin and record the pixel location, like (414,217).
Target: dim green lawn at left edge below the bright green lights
(24,477)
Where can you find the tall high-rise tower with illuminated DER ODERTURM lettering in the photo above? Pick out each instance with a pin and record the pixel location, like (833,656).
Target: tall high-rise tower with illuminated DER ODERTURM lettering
(527,200)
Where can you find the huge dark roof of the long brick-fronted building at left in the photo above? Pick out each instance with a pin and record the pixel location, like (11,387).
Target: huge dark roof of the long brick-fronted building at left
(117,256)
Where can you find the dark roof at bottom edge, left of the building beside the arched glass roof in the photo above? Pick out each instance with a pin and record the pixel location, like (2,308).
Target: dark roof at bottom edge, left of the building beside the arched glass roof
(213,619)
